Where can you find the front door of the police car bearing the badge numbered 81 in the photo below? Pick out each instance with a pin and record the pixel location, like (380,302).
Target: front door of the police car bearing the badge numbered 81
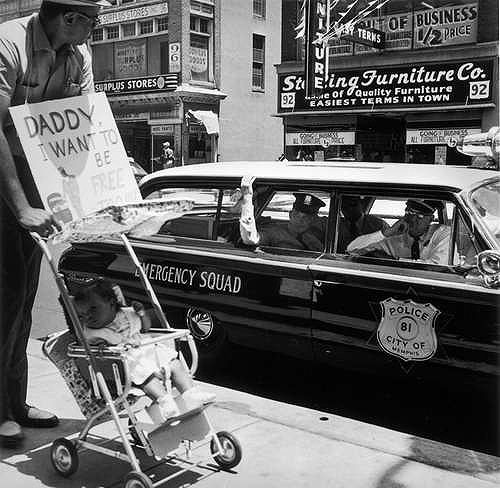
(403,317)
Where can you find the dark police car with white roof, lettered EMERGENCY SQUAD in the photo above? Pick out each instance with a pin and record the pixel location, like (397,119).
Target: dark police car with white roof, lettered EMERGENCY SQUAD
(364,311)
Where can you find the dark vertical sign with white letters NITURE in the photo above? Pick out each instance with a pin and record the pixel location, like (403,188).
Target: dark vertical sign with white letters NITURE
(316,59)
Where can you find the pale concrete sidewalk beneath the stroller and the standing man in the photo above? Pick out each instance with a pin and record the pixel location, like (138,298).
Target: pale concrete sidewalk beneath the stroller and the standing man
(283,445)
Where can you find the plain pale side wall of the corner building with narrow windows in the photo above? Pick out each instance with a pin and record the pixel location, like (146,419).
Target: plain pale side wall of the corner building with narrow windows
(250,50)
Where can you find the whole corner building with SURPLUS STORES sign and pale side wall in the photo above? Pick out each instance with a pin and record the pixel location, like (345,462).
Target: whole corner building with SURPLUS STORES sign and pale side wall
(196,73)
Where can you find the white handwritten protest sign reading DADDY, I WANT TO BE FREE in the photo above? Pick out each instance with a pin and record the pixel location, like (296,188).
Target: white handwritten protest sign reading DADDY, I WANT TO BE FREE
(76,155)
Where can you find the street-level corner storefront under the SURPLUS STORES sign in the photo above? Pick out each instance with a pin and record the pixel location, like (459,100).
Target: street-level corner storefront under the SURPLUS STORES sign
(152,110)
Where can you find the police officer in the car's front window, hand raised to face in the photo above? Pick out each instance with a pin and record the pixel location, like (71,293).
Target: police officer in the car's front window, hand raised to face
(412,237)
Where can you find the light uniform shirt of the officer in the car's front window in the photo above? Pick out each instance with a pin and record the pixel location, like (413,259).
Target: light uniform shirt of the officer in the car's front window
(434,244)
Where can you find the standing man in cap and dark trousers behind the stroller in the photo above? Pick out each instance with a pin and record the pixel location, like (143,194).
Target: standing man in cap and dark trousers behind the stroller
(42,57)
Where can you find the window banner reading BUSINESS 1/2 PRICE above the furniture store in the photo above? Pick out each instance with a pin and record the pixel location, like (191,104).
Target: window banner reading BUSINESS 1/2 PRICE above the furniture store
(445,26)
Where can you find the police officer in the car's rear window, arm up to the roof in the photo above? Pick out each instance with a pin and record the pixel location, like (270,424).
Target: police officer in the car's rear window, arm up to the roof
(304,229)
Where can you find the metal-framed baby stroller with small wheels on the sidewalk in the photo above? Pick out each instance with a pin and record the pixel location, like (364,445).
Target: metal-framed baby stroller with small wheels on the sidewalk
(104,370)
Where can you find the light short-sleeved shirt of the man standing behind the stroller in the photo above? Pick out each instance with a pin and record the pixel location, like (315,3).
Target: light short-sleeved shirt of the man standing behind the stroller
(31,71)
